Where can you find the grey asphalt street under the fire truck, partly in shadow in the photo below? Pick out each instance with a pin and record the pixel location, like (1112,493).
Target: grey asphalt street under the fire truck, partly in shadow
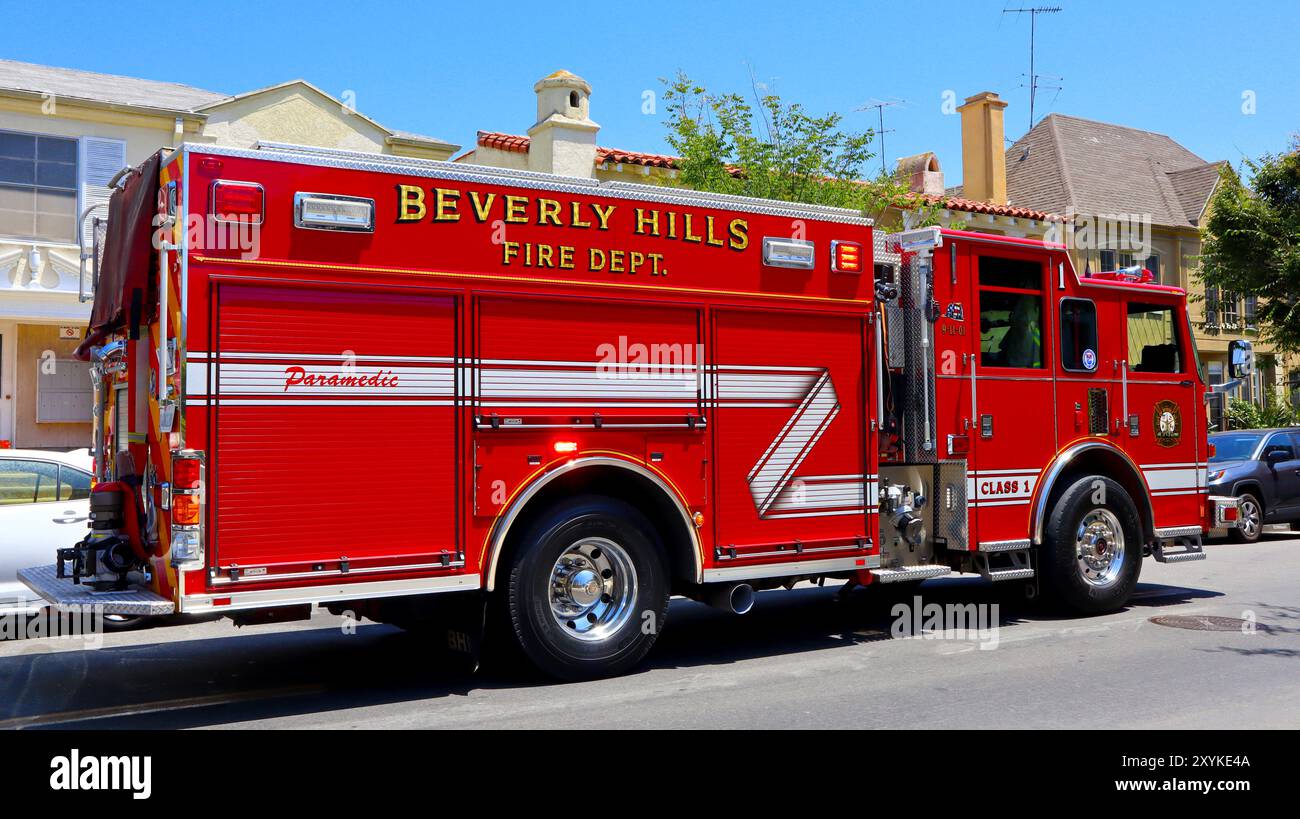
(800,660)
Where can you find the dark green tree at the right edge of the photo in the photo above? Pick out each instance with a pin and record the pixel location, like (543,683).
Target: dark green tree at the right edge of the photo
(1253,242)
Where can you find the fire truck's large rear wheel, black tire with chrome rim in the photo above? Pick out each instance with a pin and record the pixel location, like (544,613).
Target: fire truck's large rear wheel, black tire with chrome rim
(588,590)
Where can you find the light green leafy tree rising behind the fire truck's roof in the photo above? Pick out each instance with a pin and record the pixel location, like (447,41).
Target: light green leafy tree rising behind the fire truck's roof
(777,150)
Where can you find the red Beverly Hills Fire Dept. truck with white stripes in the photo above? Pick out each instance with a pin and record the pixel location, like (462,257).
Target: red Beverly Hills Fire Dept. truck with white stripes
(422,392)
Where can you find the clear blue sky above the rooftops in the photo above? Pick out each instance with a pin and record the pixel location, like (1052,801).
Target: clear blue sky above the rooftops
(448,70)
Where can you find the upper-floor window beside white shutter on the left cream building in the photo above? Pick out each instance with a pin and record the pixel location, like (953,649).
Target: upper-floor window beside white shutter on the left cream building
(38,188)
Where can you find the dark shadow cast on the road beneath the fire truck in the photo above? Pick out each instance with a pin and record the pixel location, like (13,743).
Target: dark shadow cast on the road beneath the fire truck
(275,674)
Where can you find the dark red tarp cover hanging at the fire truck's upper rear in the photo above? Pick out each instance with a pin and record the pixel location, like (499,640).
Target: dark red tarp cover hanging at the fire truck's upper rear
(128,263)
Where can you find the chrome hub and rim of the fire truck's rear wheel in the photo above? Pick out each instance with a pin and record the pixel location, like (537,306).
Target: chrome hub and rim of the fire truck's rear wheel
(593,588)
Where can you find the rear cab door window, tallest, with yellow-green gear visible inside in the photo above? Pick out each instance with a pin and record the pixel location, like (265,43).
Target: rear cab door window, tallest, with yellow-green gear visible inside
(1011,313)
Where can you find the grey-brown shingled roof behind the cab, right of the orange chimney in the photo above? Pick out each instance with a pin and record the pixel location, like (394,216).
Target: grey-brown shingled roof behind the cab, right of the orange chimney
(1073,164)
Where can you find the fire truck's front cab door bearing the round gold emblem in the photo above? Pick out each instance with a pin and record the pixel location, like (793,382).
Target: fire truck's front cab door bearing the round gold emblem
(1162,417)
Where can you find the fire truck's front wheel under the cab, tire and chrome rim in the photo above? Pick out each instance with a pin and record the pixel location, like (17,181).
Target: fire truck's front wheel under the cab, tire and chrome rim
(1091,553)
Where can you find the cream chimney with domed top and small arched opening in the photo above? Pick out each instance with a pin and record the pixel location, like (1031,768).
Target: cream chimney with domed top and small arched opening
(564,138)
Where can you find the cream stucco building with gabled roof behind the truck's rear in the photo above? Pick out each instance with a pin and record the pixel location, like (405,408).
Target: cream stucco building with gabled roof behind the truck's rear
(64,136)
